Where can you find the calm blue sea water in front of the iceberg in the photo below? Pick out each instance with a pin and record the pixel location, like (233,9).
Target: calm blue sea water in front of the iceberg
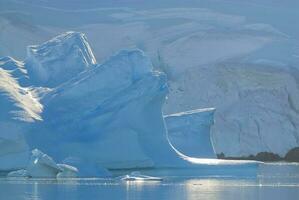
(276,181)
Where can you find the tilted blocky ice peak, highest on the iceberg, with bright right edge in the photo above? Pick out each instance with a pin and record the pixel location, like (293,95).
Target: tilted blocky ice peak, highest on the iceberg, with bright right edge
(59,59)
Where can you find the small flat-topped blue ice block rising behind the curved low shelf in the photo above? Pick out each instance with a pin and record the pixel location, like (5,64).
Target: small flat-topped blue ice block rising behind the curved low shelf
(189,132)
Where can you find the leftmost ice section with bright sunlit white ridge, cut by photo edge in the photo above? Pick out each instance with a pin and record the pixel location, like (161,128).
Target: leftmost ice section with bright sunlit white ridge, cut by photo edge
(19,106)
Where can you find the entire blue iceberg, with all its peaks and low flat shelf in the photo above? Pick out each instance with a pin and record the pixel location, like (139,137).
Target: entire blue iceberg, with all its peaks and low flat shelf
(98,120)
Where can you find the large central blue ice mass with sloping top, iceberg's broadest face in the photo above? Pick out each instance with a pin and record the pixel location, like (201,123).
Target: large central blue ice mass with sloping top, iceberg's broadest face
(114,122)
